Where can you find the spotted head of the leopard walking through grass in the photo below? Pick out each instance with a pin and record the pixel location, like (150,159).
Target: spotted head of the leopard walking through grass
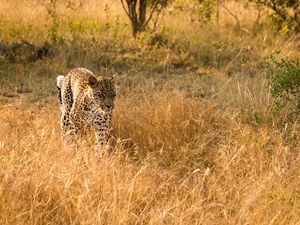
(102,93)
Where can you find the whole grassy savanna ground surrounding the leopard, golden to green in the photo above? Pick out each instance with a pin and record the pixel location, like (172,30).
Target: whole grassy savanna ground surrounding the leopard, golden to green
(196,137)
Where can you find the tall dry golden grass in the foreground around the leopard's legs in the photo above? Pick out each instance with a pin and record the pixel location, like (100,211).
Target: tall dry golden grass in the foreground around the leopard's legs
(185,163)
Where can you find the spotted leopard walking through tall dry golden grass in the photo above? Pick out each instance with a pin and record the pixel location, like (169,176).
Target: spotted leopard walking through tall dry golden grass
(85,100)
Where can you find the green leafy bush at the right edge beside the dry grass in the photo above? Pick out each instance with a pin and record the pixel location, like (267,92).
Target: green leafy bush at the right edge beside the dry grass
(284,77)
